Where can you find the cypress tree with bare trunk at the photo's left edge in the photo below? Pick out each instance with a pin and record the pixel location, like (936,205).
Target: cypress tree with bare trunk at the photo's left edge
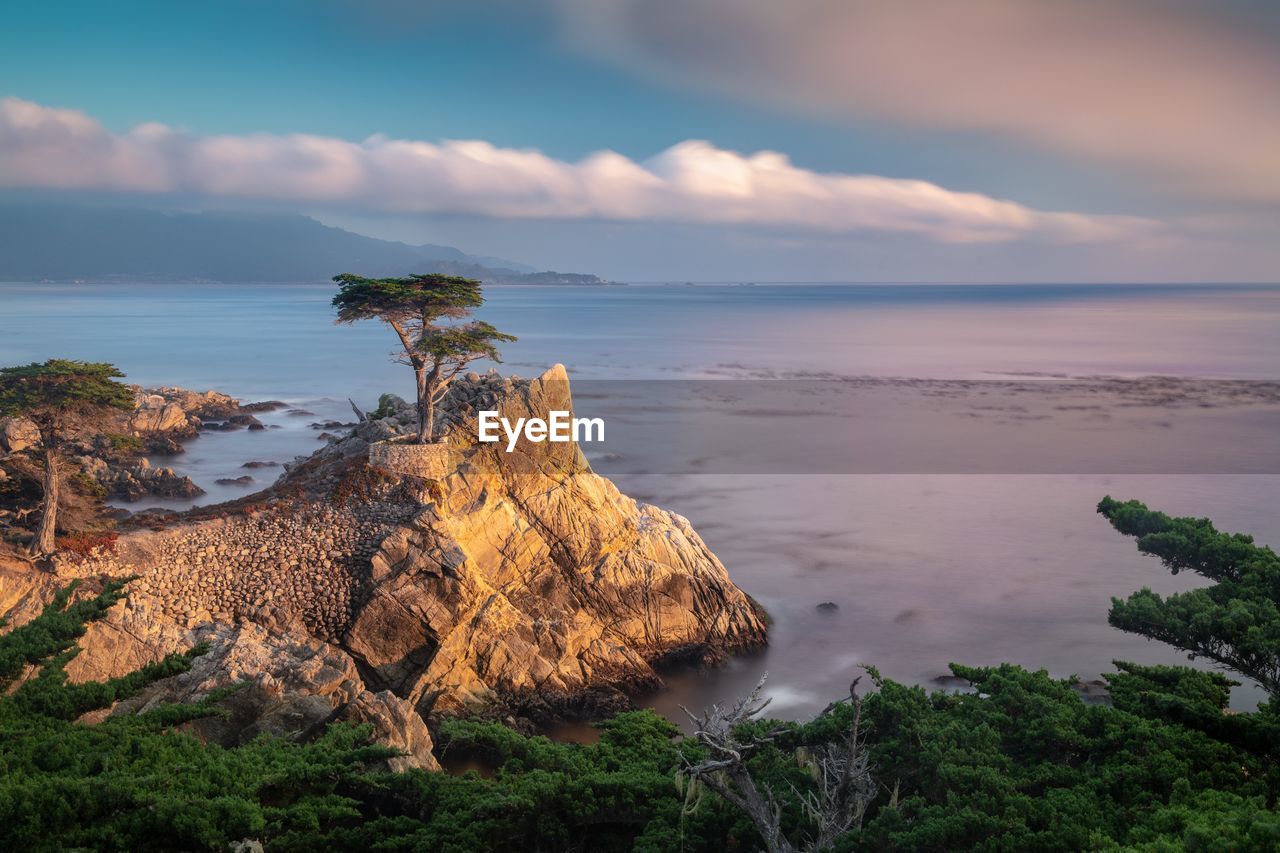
(60,396)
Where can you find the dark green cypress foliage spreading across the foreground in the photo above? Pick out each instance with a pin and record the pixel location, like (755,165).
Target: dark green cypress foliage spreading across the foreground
(1018,761)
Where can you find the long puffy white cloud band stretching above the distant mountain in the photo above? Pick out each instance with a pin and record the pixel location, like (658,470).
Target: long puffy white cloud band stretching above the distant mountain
(692,183)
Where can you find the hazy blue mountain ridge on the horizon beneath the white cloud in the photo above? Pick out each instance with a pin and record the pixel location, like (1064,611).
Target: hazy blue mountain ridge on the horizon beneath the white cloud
(72,243)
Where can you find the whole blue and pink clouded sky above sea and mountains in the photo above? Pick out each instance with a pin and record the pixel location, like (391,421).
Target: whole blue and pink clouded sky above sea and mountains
(568,80)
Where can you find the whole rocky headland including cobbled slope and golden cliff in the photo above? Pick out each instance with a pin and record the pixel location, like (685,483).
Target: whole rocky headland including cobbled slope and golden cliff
(522,582)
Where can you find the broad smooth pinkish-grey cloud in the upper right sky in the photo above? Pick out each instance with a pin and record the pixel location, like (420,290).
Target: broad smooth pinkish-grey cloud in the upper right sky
(1183,93)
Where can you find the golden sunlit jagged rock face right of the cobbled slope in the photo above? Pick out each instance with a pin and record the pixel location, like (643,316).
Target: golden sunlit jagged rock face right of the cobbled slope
(532,576)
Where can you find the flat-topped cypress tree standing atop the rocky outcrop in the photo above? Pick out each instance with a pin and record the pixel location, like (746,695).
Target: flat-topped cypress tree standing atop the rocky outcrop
(417,308)
